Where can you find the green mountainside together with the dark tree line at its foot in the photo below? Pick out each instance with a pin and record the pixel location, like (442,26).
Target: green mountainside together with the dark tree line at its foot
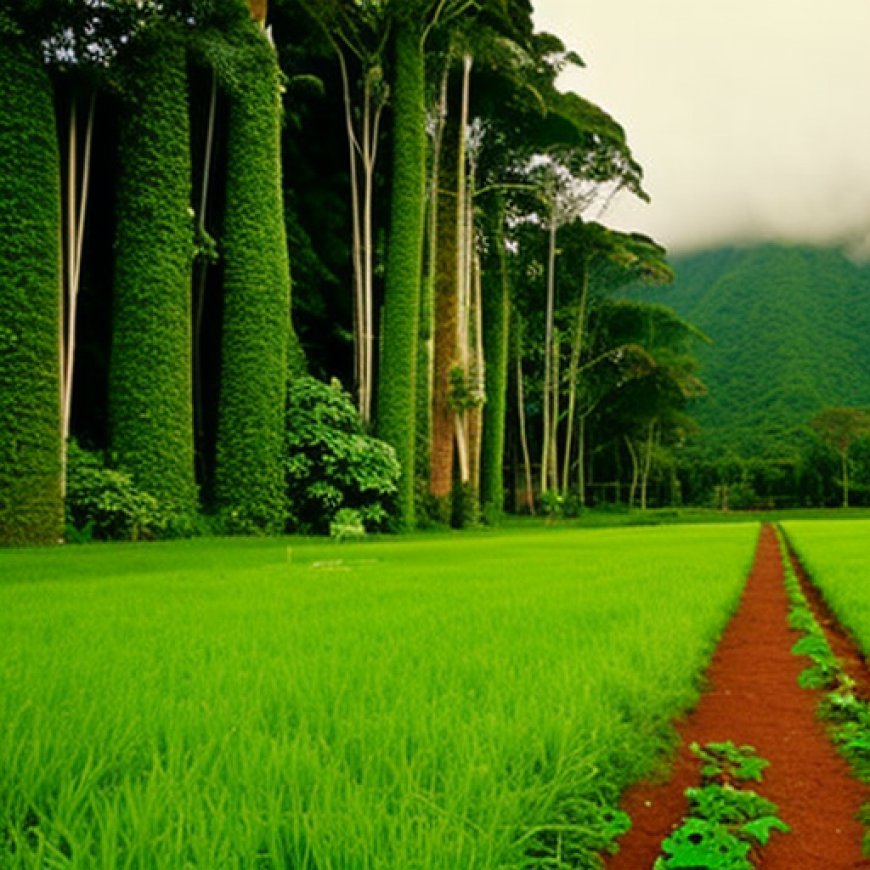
(788,327)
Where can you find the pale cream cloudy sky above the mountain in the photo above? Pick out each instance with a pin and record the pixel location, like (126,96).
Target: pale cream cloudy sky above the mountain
(751,118)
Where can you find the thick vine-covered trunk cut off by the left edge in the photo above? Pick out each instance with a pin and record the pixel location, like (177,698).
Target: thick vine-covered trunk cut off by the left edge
(31,509)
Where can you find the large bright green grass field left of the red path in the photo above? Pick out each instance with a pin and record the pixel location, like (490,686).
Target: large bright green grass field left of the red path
(446,702)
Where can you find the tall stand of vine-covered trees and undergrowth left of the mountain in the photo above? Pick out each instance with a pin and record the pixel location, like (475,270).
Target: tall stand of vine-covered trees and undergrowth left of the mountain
(456,343)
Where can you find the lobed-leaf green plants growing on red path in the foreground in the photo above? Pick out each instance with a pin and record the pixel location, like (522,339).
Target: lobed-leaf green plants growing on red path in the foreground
(725,821)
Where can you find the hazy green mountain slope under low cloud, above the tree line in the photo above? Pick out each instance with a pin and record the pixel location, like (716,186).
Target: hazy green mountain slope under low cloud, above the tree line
(790,333)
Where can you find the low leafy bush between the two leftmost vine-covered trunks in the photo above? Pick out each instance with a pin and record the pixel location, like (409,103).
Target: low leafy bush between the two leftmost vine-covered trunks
(104,502)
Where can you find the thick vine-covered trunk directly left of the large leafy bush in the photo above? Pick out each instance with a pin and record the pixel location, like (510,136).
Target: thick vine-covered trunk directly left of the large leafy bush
(257,334)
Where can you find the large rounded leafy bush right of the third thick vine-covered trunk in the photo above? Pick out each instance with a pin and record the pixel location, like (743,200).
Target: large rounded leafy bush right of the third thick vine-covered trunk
(331,465)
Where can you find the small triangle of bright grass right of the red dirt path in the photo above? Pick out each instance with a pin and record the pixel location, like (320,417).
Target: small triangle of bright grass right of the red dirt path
(837,556)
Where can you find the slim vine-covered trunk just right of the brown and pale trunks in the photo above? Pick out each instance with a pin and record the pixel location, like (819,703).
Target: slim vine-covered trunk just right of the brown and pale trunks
(496,320)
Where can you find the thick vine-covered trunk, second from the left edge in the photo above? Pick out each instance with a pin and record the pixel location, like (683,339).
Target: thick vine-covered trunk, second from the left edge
(150,388)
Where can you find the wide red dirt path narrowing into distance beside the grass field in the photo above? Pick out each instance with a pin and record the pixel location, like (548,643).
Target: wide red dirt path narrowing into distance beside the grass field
(754,699)
